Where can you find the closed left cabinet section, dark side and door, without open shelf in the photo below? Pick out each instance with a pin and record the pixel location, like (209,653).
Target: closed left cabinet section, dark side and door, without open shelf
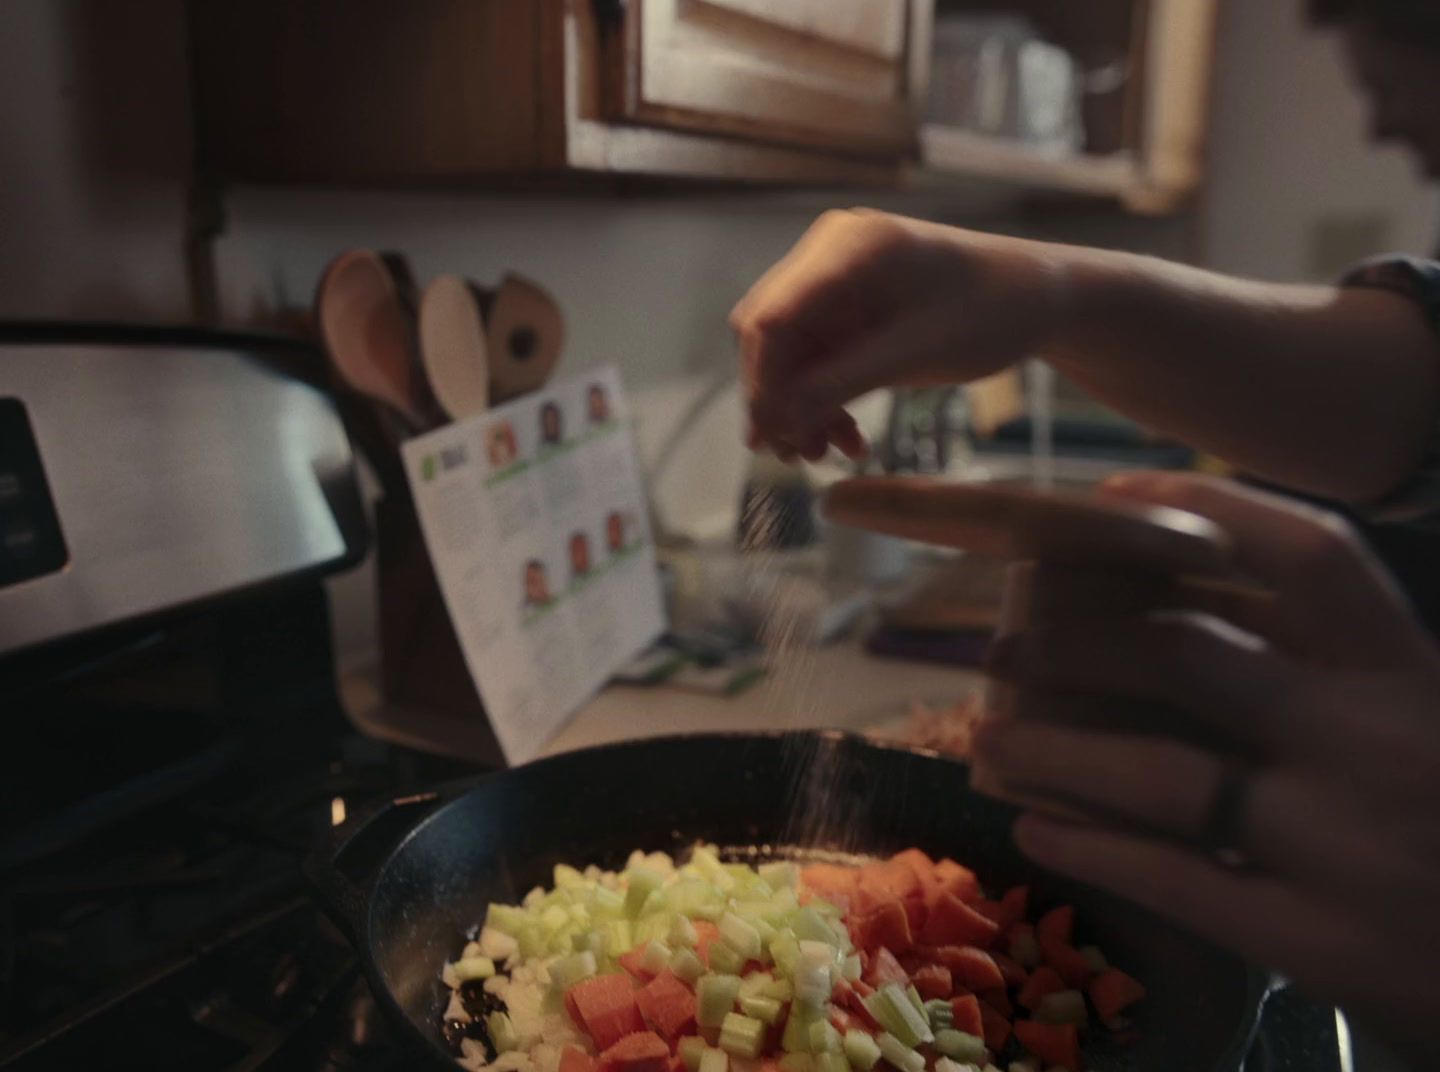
(505,91)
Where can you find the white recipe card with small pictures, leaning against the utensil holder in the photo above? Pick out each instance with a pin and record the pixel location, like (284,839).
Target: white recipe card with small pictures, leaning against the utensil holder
(535,518)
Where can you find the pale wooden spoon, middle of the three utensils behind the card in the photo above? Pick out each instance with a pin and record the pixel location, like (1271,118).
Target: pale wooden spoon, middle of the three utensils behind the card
(454,348)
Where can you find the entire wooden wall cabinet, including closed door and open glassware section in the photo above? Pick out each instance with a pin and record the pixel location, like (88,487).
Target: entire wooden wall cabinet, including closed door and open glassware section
(541,93)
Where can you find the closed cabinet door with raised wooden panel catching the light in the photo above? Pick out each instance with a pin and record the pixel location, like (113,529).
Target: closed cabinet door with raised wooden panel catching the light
(834,74)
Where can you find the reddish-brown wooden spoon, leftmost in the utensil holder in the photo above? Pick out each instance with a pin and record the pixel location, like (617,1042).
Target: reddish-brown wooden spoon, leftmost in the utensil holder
(371,338)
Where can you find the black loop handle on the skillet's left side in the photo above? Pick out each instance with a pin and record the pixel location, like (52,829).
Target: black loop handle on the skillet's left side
(345,895)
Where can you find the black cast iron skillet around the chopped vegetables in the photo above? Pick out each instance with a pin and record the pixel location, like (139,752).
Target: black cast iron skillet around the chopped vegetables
(408,907)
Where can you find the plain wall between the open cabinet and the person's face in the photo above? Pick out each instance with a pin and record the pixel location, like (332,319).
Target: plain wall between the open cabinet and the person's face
(1290,153)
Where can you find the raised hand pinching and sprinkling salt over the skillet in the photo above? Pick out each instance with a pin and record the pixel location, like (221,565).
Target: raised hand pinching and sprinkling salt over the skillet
(868,300)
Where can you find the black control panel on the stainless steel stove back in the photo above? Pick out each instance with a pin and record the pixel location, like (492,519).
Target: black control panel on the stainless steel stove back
(31,540)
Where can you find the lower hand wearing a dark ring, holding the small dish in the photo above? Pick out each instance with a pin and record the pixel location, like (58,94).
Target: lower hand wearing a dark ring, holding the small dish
(1328,695)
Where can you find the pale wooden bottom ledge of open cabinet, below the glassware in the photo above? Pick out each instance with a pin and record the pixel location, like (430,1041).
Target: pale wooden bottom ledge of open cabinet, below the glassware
(947,152)
